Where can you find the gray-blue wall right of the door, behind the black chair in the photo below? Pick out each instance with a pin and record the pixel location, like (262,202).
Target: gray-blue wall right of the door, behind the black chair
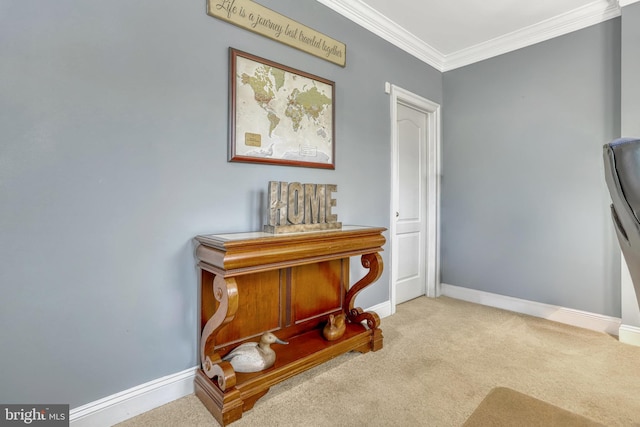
(524,203)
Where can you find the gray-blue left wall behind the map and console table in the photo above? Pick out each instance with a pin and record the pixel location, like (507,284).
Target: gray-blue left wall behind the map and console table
(113,120)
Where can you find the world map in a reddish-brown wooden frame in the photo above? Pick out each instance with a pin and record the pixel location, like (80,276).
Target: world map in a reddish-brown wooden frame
(279,115)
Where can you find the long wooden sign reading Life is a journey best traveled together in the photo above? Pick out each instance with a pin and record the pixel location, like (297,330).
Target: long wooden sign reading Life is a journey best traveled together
(261,20)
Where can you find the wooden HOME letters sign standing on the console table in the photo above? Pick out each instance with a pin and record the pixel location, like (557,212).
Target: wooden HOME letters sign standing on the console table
(294,207)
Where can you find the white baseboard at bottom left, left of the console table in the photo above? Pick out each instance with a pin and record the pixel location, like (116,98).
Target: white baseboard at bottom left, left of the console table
(134,401)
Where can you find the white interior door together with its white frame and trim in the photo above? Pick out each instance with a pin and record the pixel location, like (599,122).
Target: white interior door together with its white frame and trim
(415,197)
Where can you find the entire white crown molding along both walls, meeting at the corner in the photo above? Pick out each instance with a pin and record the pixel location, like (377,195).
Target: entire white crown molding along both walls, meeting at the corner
(590,14)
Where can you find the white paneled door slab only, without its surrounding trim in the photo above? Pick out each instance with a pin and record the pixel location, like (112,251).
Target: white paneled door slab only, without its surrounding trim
(410,215)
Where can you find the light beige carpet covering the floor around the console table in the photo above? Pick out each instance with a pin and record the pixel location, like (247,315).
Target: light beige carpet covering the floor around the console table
(441,358)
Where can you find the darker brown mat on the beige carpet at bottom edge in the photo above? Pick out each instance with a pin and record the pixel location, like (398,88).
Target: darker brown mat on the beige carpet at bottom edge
(506,407)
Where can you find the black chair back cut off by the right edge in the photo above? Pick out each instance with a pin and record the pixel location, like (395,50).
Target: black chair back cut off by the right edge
(622,174)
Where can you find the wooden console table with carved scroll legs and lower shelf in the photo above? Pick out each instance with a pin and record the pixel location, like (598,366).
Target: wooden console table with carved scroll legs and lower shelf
(288,284)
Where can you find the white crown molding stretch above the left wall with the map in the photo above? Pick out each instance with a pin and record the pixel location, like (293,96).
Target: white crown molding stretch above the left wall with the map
(382,26)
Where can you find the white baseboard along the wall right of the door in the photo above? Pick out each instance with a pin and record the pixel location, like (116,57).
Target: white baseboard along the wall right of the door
(581,319)
